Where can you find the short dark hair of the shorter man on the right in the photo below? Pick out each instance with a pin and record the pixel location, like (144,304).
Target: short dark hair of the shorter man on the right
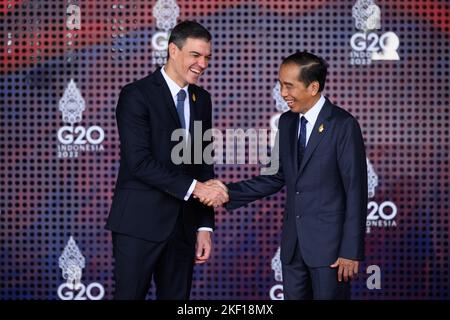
(312,68)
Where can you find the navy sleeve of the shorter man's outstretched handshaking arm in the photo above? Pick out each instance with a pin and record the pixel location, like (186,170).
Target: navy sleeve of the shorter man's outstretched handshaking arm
(244,192)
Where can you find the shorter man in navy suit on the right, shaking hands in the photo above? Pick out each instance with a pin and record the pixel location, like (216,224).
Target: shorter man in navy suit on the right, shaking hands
(322,163)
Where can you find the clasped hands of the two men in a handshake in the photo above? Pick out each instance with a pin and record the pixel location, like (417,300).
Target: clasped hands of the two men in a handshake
(211,193)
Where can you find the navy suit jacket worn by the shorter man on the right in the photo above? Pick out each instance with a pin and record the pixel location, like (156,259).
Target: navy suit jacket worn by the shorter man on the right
(326,204)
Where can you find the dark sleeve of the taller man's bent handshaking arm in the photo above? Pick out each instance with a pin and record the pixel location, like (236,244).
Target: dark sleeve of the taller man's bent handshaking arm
(133,121)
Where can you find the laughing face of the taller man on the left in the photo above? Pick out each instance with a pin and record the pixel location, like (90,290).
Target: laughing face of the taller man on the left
(189,62)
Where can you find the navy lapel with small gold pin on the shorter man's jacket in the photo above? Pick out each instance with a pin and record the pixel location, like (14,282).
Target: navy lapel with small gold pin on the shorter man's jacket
(316,134)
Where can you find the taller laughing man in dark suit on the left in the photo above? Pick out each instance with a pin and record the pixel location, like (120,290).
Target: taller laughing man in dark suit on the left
(158,230)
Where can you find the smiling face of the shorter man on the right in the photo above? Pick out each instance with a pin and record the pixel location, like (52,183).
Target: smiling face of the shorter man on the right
(299,97)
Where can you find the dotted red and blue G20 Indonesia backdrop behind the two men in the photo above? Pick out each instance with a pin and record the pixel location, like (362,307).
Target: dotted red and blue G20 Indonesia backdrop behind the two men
(63,64)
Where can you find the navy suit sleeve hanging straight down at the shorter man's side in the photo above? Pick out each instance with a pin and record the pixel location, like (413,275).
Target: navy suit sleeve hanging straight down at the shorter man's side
(353,171)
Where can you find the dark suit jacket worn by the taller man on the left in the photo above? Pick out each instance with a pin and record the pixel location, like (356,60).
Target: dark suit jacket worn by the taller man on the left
(150,188)
